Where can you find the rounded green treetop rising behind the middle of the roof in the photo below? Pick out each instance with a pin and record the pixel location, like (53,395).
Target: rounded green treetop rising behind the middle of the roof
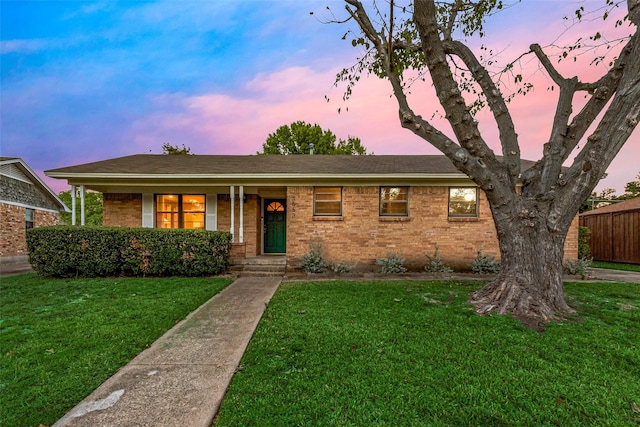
(297,139)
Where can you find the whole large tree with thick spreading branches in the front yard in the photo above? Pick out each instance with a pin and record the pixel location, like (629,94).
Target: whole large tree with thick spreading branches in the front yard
(532,219)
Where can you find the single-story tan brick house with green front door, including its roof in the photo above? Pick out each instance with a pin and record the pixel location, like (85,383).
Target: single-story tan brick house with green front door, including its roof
(360,208)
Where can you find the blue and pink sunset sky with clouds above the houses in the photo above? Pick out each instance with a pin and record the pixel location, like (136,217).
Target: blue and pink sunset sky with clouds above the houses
(109,79)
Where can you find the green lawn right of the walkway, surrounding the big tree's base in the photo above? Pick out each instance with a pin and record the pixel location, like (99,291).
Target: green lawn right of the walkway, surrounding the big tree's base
(411,353)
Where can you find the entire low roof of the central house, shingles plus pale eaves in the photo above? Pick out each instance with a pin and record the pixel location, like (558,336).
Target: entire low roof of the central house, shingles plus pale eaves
(144,171)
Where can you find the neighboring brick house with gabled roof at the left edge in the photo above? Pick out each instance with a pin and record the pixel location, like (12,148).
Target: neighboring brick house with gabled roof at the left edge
(25,202)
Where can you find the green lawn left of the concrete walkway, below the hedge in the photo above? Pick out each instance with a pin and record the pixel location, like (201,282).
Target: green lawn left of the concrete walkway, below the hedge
(60,339)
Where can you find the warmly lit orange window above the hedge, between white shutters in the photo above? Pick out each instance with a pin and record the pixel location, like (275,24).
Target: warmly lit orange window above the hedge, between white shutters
(180,211)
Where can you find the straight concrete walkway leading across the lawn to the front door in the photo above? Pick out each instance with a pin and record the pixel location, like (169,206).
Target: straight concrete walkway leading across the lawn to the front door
(181,379)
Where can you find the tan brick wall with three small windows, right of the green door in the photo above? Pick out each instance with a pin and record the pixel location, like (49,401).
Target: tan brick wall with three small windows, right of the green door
(362,236)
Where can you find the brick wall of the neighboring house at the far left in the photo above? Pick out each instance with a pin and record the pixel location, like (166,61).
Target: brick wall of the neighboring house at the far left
(13,228)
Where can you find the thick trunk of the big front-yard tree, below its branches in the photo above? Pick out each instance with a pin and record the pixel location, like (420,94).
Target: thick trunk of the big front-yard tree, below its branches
(529,284)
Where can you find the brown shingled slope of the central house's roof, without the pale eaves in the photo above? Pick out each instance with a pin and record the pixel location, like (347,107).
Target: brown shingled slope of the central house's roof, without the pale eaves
(149,164)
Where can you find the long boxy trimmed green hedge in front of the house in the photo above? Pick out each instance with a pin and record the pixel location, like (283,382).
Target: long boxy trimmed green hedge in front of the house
(67,251)
